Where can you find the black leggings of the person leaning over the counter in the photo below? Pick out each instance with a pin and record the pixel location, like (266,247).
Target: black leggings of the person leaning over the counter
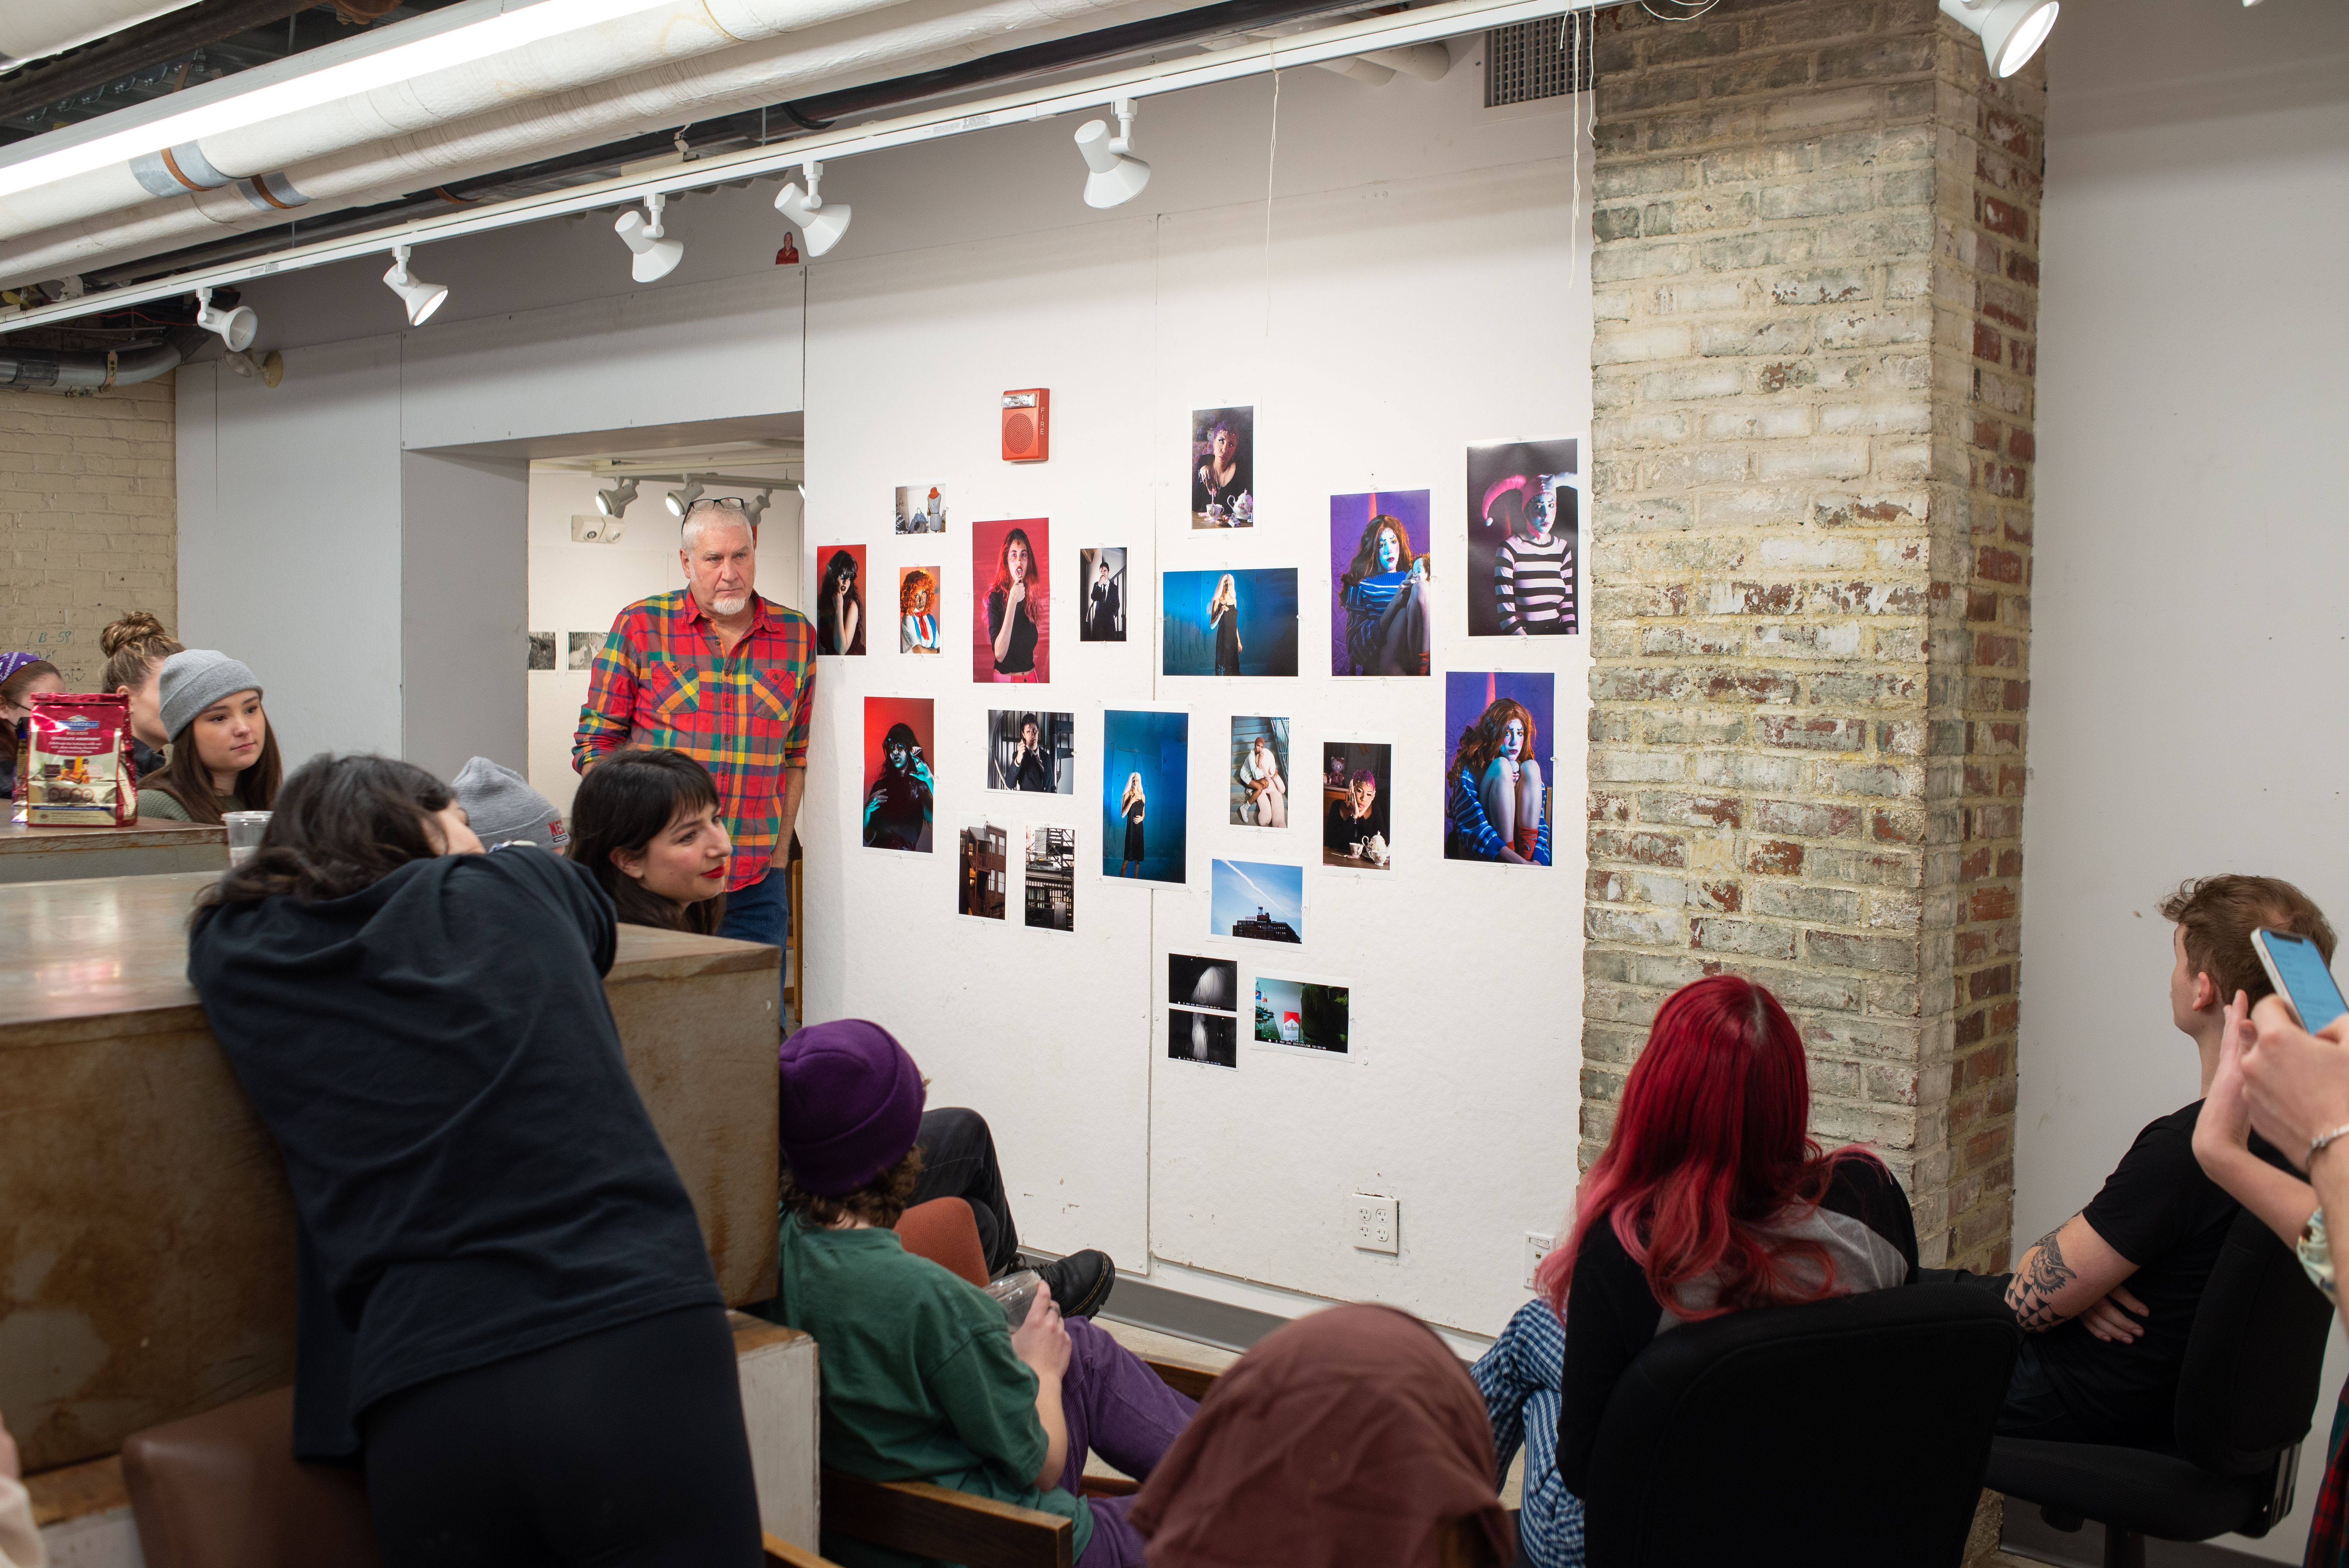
(621,1449)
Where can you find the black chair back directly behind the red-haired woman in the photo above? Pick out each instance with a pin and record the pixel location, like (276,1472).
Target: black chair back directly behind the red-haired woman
(1850,1431)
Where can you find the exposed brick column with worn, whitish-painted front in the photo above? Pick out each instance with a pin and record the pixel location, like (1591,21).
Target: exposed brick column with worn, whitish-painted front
(1810,576)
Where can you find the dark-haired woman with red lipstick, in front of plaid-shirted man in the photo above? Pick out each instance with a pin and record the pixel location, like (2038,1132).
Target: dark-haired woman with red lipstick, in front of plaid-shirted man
(647,830)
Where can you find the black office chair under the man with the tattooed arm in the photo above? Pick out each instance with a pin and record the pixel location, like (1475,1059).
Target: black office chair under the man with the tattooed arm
(2244,1403)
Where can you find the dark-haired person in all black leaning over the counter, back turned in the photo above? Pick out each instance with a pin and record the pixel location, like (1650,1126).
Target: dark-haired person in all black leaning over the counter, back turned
(506,1306)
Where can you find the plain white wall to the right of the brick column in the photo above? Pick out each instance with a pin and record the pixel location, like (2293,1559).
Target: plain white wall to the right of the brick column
(2190,546)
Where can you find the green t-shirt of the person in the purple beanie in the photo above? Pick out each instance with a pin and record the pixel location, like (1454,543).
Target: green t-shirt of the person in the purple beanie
(920,1377)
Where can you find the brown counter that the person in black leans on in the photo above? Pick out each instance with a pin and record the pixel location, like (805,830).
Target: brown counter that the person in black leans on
(147,1236)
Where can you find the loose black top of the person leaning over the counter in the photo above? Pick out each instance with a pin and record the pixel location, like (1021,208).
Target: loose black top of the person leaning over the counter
(473,1172)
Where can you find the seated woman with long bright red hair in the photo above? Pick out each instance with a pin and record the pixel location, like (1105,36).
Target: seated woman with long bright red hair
(1709,1198)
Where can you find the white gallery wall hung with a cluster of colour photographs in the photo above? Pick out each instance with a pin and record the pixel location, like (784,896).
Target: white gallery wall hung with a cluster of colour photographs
(1418,290)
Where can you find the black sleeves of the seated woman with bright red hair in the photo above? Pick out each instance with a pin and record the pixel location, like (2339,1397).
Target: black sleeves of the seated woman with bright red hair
(1864,1222)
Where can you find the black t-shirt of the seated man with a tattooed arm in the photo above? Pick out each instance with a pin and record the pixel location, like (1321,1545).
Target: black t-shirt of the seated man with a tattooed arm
(2167,1217)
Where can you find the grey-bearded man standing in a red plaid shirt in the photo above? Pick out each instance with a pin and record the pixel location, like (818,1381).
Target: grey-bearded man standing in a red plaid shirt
(729,680)
